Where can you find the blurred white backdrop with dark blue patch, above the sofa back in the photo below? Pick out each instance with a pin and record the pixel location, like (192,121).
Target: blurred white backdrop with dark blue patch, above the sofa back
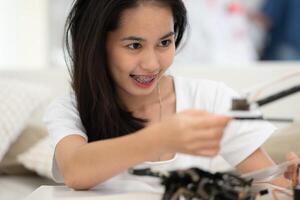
(222,32)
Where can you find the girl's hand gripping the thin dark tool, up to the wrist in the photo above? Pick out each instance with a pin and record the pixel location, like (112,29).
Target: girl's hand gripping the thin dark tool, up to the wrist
(193,132)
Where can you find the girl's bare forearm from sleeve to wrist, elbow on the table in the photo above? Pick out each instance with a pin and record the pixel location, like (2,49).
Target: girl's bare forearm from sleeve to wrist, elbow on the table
(83,165)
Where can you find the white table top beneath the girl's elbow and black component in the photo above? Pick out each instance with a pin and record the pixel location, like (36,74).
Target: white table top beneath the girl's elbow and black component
(65,193)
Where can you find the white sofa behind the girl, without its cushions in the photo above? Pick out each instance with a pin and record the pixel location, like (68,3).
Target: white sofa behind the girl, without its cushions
(16,186)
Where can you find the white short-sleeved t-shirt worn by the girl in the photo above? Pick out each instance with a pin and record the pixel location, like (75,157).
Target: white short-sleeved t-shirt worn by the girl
(239,141)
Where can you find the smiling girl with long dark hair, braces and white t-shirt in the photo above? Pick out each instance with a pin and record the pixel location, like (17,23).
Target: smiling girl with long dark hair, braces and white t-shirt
(125,112)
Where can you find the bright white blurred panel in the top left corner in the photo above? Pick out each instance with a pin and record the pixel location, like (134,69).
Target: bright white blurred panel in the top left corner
(23,34)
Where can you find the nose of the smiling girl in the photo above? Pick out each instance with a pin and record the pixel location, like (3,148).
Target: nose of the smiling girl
(150,61)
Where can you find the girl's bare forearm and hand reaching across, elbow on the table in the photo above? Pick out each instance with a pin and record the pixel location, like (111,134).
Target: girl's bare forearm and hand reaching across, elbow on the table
(85,165)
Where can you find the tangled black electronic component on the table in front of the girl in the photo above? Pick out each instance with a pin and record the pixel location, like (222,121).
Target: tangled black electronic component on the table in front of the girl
(197,184)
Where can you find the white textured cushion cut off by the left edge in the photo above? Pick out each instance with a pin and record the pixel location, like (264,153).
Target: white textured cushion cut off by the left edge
(18,100)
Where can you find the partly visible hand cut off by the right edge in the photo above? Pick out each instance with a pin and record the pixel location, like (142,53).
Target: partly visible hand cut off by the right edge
(291,172)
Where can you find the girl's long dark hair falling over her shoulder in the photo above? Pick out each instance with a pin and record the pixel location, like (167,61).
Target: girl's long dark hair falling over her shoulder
(86,32)
